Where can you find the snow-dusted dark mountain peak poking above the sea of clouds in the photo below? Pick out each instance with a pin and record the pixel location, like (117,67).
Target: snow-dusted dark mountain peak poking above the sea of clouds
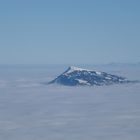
(75,76)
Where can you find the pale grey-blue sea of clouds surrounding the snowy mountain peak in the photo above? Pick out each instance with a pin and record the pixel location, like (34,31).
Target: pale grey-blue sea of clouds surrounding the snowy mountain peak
(31,110)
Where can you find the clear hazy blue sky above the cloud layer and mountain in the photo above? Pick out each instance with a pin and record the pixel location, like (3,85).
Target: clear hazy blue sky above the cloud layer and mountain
(69,31)
